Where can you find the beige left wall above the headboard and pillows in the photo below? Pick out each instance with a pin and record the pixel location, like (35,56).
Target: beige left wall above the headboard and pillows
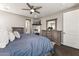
(11,20)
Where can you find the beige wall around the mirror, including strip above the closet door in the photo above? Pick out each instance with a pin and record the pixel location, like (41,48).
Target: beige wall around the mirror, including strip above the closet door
(59,17)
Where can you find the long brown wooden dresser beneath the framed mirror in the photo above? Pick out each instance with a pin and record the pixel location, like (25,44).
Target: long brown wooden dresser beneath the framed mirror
(54,36)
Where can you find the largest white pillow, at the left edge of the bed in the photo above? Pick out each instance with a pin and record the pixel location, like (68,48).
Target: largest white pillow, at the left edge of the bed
(4,38)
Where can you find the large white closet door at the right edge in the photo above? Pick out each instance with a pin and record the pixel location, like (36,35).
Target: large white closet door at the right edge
(71,29)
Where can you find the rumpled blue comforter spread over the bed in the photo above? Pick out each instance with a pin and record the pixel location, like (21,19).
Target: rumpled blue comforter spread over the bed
(28,45)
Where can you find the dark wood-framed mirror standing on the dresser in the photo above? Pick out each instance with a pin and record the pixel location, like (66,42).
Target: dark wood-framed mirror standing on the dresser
(51,24)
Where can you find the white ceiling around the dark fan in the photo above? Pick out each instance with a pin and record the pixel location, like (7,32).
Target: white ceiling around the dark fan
(47,8)
